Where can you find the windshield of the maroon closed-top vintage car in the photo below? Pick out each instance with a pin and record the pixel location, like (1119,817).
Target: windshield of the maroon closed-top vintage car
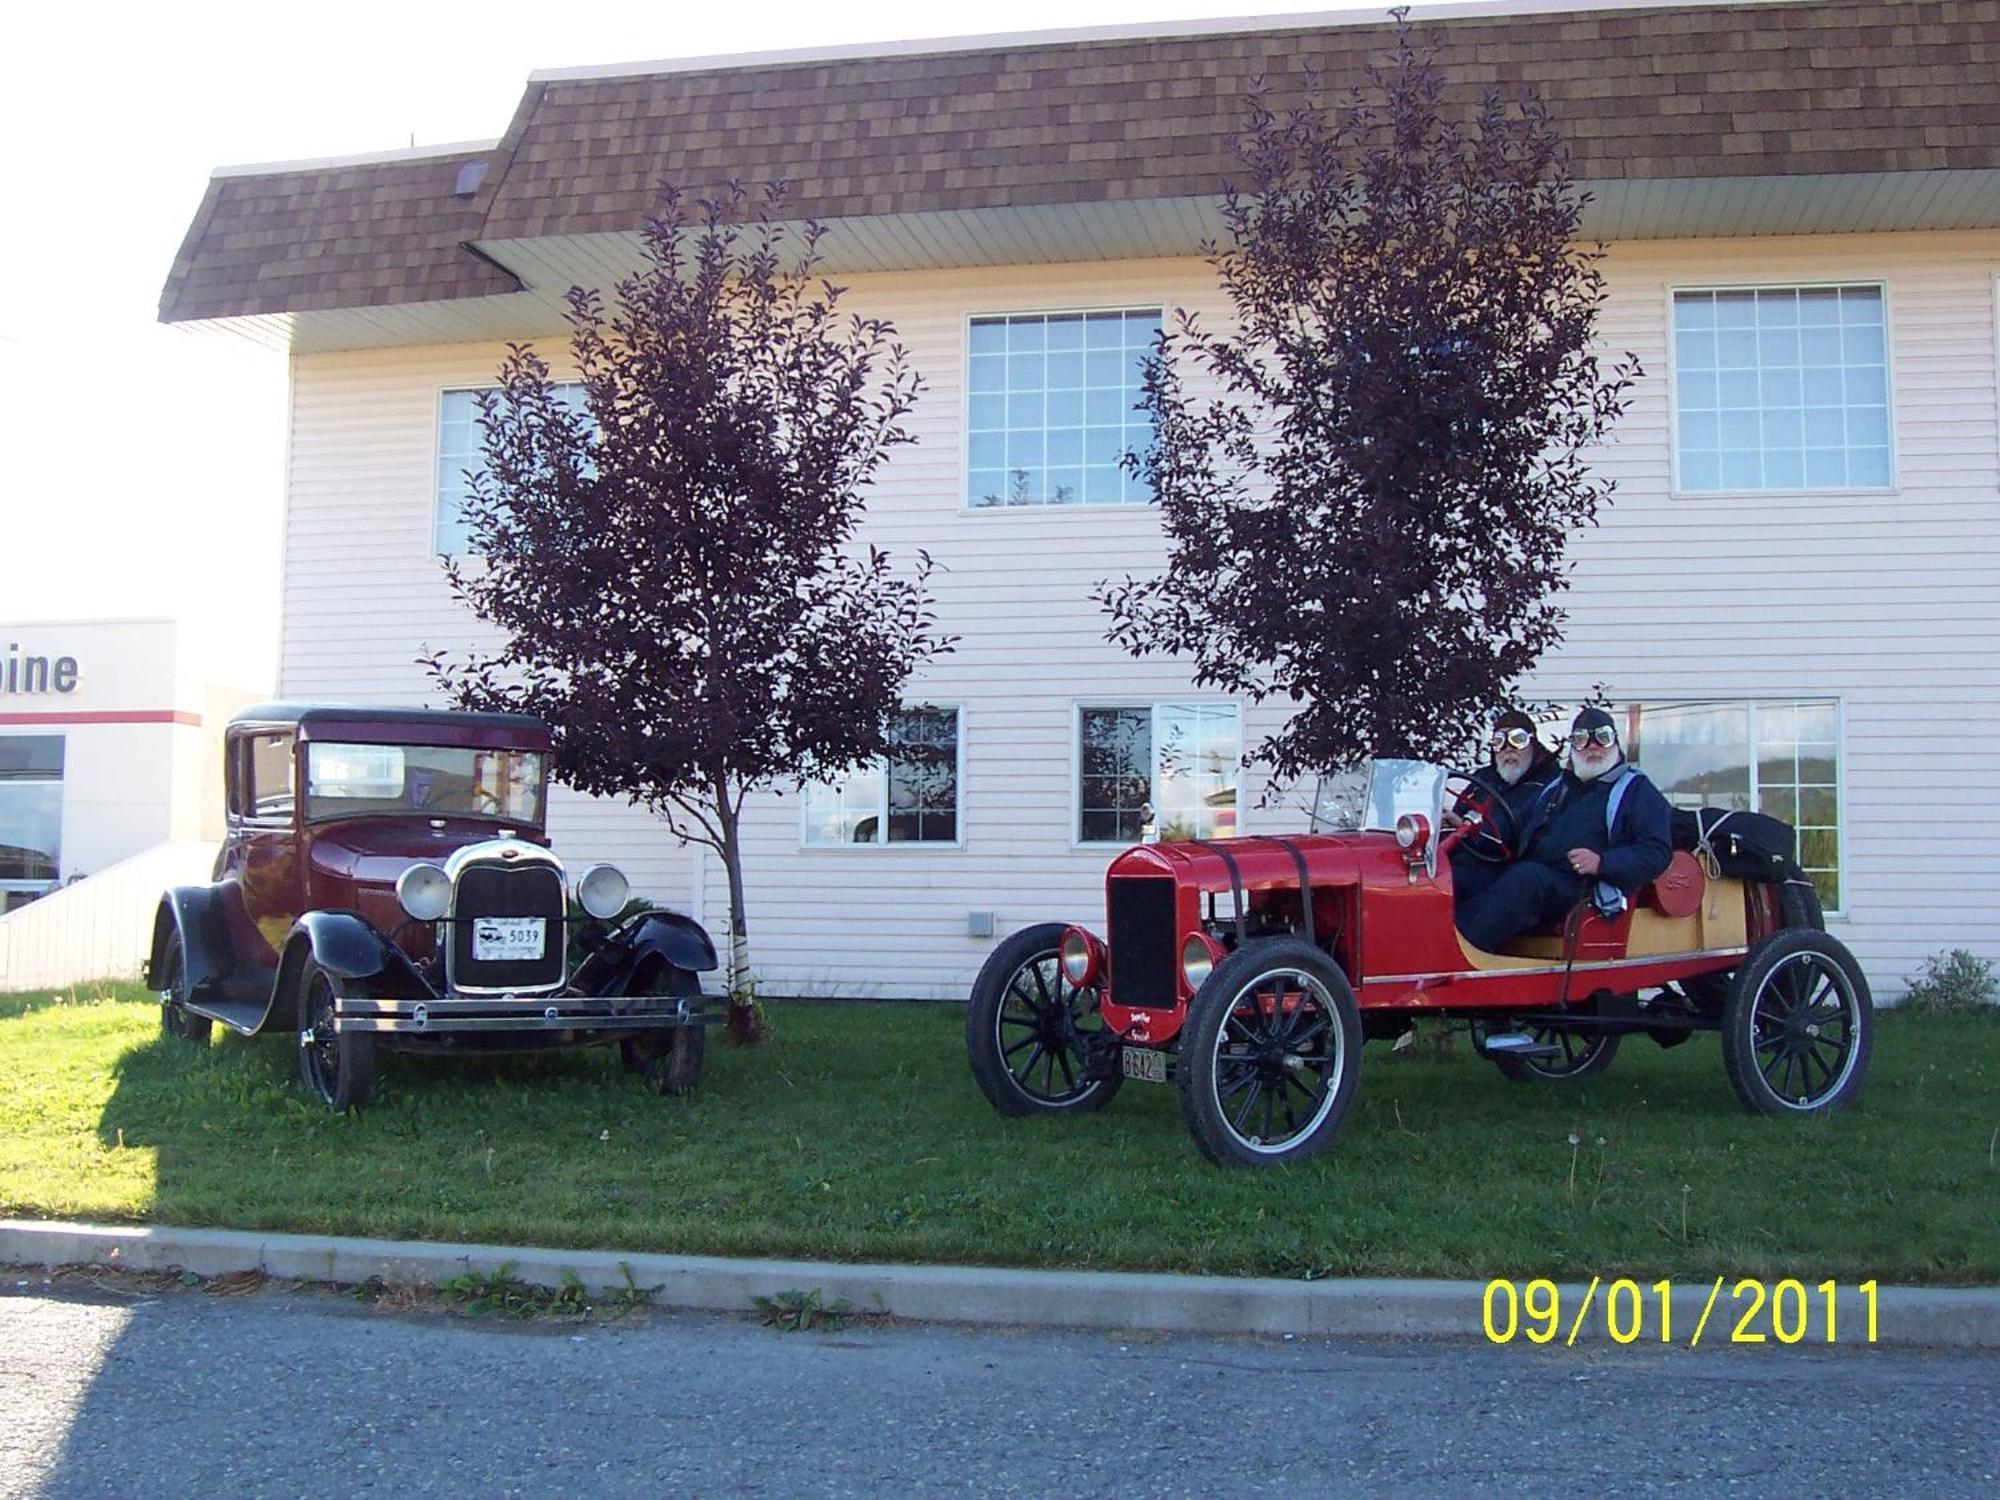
(357,781)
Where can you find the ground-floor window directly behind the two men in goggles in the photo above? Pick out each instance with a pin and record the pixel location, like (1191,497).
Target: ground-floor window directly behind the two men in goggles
(1779,757)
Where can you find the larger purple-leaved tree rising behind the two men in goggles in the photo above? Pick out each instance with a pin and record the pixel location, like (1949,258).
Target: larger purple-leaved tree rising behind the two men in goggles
(1369,499)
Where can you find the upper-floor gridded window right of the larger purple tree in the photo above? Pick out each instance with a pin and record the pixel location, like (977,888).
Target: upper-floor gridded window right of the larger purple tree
(1783,389)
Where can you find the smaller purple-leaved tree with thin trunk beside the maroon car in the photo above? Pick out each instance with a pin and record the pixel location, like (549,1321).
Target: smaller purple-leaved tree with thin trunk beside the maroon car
(671,551)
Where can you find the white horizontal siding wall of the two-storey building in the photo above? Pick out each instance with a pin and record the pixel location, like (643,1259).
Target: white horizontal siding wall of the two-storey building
(1881,601)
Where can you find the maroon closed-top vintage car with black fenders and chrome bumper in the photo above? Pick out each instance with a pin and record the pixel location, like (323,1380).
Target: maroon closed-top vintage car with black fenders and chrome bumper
(387,881)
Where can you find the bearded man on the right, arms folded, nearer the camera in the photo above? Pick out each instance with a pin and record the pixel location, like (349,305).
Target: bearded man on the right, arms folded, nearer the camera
(1597,831)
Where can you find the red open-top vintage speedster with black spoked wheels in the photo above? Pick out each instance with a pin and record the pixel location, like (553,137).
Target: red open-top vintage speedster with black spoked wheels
(1251,971)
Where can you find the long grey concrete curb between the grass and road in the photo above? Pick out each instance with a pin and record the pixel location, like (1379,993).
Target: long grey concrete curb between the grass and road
(1907,1317)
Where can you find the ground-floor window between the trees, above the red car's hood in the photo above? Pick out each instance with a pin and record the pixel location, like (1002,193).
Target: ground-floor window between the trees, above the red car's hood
(1157,771)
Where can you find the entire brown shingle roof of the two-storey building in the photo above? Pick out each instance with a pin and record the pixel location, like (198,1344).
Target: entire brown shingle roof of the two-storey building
(1665,93)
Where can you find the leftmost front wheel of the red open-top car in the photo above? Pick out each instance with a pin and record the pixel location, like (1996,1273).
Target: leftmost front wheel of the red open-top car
(1025,1019)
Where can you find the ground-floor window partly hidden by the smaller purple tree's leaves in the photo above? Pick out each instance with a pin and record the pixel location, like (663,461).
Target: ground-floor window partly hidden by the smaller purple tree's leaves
(909,797)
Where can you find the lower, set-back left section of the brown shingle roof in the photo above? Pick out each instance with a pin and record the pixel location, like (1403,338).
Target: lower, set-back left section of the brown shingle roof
(333,237)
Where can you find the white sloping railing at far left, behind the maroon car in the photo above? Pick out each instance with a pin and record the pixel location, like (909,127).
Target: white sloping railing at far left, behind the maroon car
(97,929)
